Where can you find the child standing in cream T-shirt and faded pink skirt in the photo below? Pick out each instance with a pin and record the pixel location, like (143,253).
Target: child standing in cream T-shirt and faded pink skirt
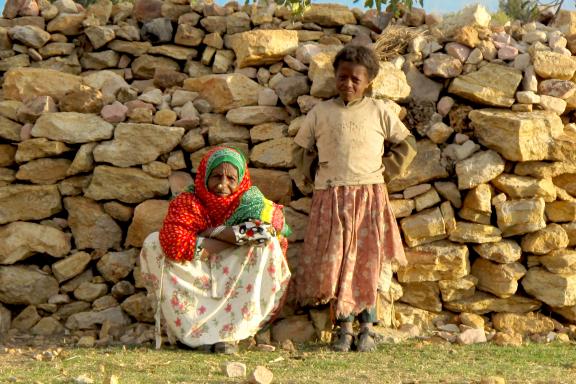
(352,233)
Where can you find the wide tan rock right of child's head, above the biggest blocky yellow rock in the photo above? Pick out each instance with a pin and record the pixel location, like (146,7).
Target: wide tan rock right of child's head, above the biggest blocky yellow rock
(493,85)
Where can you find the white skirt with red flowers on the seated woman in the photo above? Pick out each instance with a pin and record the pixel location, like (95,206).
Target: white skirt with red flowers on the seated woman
(227,298)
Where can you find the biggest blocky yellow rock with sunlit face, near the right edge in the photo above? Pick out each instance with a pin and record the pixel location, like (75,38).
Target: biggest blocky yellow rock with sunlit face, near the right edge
(521,136)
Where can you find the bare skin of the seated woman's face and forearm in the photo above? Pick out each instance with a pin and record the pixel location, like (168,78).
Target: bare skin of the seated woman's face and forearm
(223,181)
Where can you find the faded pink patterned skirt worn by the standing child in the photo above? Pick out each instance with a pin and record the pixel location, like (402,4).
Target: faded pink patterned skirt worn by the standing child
(351,233)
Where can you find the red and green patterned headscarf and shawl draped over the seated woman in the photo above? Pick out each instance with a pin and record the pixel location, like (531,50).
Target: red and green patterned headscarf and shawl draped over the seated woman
(198,209)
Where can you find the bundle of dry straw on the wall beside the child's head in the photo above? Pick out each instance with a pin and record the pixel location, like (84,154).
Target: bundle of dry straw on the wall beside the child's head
(394,40)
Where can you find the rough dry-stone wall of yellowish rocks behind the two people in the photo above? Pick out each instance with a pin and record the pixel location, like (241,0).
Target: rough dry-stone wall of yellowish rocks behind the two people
(105,111)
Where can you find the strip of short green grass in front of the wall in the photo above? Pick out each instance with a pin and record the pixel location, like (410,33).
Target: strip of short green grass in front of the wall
(410,362)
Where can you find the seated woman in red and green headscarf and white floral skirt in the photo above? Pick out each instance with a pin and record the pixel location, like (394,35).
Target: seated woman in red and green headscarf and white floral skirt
(218,266)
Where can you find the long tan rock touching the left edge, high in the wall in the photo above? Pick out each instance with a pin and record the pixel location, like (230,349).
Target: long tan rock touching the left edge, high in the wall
(27,83)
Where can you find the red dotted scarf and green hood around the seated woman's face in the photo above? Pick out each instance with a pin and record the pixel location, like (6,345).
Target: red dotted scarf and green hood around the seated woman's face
(191,213)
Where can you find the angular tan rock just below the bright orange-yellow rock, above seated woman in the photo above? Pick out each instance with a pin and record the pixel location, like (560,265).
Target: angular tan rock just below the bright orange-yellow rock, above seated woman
(225,92)
